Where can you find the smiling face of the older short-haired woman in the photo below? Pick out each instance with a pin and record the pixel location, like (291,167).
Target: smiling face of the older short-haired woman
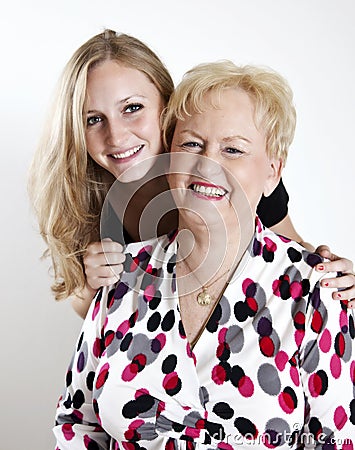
(219,158)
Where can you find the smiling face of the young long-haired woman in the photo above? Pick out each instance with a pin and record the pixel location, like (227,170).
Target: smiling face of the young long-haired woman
(122,114)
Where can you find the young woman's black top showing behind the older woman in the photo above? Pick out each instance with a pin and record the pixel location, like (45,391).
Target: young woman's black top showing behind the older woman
(271,210)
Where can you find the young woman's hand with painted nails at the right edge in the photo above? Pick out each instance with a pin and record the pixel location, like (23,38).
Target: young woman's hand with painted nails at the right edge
(346,281)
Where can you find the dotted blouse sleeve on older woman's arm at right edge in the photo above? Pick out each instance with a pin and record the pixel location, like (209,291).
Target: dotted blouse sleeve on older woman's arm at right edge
(327,370)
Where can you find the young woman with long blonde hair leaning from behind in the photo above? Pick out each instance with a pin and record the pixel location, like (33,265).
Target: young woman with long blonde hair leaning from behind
(105,119)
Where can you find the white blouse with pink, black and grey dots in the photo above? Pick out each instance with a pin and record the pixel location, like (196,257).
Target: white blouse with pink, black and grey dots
(274,367)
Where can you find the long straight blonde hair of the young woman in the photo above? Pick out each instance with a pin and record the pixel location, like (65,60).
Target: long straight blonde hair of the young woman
(66,186)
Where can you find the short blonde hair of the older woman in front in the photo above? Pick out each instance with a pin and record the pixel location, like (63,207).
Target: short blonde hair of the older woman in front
(273,97)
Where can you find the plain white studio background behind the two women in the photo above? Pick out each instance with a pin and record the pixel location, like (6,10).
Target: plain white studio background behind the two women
(311,42)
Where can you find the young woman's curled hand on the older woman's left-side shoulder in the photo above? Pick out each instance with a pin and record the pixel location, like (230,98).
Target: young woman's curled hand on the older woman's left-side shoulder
(103,263)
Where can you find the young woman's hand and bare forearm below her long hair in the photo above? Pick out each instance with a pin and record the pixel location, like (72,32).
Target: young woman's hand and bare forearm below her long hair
(103,264)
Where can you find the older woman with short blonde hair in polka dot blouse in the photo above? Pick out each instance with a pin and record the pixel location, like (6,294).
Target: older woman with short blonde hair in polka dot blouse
(220,333)
